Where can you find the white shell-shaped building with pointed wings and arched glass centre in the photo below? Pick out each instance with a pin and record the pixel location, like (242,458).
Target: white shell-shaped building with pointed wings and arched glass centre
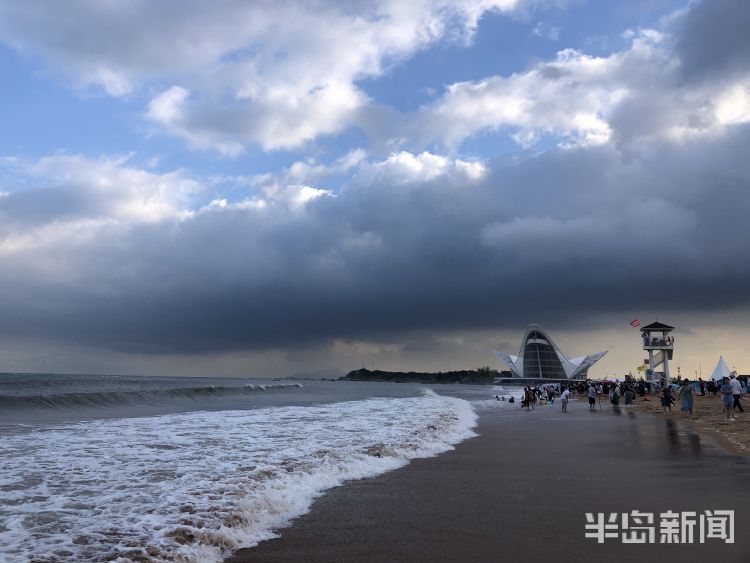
(540,358)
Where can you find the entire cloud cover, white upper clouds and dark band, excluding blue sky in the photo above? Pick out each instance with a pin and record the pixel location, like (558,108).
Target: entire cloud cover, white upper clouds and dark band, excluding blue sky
(630,193)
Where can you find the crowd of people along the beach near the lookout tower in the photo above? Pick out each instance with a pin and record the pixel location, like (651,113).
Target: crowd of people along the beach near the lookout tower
(731,390)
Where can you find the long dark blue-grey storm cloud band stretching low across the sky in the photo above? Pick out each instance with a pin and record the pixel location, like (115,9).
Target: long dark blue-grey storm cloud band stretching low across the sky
(568,234)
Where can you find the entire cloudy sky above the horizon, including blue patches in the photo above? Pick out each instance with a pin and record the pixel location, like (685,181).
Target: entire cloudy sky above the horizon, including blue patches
(269,188)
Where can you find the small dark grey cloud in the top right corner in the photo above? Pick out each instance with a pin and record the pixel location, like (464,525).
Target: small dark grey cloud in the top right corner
(713,38)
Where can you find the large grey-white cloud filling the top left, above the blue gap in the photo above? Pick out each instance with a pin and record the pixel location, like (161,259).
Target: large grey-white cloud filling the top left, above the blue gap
(278,74)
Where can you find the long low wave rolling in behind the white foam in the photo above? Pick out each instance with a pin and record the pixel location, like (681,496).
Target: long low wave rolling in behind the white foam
(112,398)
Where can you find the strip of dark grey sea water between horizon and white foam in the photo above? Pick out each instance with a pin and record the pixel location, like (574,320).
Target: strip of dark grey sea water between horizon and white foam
(30,399)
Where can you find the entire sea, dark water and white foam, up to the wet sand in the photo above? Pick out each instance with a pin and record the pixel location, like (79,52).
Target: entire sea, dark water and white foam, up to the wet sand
(127,468)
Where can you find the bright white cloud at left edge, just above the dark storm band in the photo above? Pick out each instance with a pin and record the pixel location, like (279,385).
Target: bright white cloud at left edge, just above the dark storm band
(67,197)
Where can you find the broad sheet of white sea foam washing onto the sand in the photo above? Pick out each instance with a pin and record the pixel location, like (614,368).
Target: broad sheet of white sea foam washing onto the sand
(193,487)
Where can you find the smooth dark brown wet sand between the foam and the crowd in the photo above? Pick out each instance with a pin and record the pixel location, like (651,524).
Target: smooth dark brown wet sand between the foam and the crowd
(519,492)
